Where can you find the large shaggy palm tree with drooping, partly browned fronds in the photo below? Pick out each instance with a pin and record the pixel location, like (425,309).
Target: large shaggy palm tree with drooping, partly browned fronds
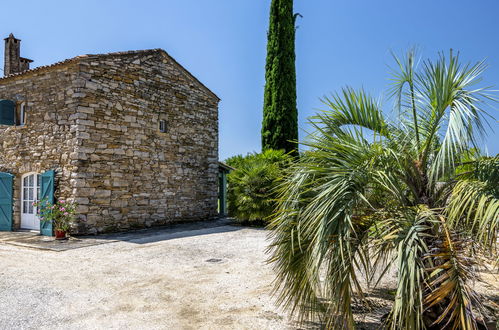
(371,194)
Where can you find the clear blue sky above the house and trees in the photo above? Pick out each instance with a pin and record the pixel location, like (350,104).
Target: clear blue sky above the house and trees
(223,42)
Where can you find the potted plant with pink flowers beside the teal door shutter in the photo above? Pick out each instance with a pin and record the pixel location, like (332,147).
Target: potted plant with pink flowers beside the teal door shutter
(60,214)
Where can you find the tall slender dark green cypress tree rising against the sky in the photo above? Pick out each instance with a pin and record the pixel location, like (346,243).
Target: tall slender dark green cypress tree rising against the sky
(280,115)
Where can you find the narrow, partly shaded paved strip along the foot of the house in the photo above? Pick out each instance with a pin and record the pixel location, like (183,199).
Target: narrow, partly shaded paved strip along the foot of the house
(142,236)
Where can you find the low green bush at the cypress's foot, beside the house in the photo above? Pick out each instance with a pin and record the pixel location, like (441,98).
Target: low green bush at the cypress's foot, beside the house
(251,186)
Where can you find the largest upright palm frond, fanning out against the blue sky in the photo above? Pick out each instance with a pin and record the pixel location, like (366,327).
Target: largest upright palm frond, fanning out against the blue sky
(453,111)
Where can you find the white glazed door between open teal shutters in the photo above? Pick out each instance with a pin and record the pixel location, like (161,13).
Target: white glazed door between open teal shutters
(30,192)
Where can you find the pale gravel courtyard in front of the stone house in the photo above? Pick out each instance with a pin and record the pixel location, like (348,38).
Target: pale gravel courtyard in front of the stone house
(207,278)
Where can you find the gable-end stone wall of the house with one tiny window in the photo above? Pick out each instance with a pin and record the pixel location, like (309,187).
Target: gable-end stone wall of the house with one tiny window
(130,174)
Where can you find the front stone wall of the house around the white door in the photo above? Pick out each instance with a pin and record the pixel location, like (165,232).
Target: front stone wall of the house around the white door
(46,141)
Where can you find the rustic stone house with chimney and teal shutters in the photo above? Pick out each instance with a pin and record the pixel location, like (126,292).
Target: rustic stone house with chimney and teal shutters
(131,137)
